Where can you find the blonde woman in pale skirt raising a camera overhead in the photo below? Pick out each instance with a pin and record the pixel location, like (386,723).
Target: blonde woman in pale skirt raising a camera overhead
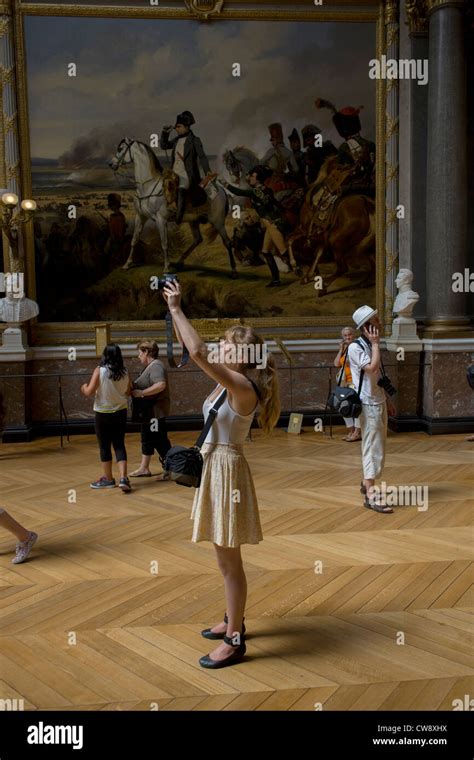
(225,509)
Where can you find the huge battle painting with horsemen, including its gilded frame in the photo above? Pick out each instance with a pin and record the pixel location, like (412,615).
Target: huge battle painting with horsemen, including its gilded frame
(243,155)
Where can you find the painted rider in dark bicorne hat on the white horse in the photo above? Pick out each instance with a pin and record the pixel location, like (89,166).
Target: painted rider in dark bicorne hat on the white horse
(186,154)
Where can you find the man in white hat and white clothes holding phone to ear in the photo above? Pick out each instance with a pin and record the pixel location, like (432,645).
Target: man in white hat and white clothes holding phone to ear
(364,356)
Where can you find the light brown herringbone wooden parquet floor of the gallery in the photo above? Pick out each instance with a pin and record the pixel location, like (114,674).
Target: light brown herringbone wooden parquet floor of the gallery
(384,623)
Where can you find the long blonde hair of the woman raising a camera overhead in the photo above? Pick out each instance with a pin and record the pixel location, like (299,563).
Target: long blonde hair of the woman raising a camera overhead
(266,377)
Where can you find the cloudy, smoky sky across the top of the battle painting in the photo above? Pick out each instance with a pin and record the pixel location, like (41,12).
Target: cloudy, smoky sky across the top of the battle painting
(136,75)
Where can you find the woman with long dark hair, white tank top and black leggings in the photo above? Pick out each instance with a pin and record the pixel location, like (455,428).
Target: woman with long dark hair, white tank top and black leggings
(111,385)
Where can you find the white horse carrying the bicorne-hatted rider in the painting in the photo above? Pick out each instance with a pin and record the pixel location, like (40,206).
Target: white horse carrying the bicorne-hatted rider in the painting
(152,197)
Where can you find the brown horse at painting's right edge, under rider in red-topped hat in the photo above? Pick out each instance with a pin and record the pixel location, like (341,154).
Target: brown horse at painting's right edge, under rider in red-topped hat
(350,233)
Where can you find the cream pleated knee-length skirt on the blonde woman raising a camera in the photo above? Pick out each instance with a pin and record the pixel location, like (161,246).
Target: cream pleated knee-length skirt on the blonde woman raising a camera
(225,508)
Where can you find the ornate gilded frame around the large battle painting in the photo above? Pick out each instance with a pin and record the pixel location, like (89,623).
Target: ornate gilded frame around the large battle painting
(290,327)
